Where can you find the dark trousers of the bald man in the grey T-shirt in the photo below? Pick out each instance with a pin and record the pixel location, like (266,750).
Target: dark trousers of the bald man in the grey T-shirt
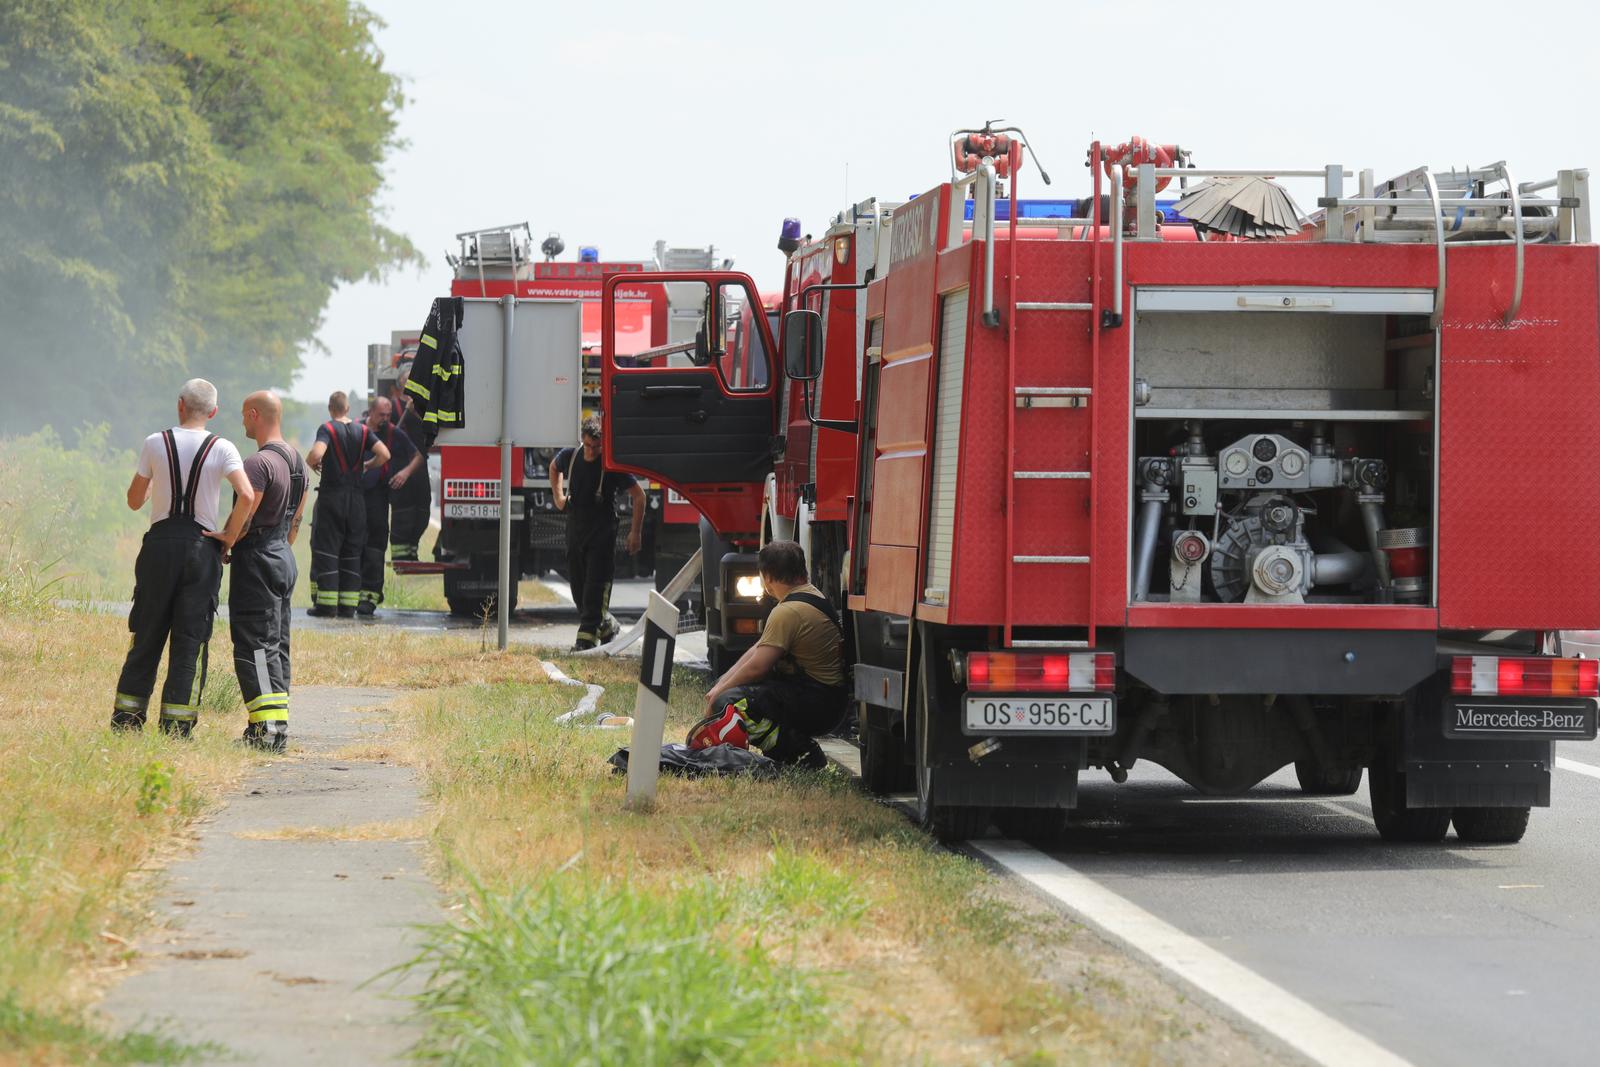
(262,583)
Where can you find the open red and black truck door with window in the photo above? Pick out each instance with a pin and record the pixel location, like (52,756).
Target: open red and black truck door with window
(698,414)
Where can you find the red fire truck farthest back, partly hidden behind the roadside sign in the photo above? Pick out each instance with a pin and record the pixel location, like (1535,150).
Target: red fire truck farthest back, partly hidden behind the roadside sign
(497,263)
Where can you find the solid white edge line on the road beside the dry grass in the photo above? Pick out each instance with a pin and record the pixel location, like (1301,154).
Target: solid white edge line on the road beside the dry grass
(1214,975)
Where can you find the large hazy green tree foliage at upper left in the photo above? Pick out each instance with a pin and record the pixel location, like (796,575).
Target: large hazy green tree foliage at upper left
(183,183)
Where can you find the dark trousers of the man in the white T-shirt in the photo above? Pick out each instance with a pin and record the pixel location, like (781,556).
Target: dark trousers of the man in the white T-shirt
(177,581)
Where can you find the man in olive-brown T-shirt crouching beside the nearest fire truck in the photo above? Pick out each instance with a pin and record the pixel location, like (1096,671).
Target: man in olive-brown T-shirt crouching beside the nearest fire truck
(790,689)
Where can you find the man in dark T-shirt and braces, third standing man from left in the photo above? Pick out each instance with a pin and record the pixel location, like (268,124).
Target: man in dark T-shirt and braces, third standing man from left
(338,527)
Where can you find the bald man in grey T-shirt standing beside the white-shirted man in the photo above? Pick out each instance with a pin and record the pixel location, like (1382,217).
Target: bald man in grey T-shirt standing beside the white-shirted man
(263,575)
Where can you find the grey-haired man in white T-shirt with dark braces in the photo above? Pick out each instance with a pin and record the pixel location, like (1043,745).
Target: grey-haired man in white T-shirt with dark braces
(180,565)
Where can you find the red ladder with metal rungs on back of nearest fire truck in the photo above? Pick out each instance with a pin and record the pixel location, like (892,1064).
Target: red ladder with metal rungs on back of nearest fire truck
(1068,398)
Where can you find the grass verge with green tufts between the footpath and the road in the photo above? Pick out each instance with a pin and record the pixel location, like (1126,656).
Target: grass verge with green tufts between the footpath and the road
(586,930)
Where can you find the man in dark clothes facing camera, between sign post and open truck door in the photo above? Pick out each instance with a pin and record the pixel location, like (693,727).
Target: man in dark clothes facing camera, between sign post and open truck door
(586,492)
